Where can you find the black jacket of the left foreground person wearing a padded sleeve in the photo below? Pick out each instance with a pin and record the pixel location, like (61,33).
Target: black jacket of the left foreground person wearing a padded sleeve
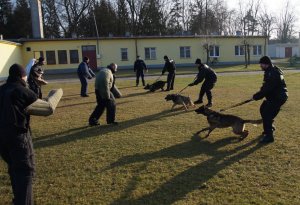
(14,98)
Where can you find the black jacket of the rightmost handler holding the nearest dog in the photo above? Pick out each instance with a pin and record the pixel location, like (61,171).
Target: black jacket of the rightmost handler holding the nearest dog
(274,87)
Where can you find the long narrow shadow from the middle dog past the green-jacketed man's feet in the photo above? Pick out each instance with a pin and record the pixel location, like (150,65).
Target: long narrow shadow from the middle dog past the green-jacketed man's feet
(87,132)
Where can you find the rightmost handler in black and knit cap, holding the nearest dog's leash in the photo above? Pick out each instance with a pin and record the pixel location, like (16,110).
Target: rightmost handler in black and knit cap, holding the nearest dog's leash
(275,92)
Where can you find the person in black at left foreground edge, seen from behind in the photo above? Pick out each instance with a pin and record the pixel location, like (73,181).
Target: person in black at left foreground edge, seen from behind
(15,141)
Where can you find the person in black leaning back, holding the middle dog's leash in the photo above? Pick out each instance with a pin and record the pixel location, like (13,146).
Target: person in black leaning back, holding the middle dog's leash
(210,78)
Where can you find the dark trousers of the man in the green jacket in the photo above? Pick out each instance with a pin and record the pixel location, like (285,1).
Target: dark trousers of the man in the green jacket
(109,104)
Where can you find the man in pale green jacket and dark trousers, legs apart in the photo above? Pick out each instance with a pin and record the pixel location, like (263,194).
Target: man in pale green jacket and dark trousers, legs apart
(104,84)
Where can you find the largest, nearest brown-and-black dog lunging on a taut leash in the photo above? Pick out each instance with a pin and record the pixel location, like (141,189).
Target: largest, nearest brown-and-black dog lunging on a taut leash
(218,120)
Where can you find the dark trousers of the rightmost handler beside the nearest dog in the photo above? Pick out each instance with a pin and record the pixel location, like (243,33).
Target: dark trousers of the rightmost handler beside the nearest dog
(268,111)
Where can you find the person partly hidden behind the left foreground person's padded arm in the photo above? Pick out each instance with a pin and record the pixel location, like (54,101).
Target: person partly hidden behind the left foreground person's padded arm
(35,79)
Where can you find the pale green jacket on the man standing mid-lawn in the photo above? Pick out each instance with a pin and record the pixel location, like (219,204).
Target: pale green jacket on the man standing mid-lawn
(104,82)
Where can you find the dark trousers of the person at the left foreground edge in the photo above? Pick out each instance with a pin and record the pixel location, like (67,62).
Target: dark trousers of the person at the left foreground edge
(17,151)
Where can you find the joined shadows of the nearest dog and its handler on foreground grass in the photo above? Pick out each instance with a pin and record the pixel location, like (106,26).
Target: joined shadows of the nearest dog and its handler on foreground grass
(192,178)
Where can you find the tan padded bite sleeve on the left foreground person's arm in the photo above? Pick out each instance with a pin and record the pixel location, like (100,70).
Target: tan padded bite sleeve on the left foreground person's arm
(45,107)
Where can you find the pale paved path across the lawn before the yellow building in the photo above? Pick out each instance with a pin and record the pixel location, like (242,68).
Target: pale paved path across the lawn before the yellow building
(76,80)
